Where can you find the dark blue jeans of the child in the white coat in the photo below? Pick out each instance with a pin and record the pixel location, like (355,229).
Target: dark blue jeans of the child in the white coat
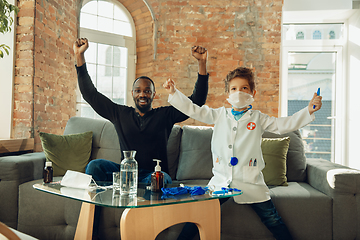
(265,210)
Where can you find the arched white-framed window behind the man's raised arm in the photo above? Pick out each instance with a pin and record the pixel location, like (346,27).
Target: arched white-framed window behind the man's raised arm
(110,58)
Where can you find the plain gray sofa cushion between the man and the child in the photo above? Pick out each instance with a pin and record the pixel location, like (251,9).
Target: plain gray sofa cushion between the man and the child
(195,159)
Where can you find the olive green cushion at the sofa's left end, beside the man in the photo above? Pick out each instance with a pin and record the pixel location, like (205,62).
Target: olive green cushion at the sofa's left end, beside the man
(69,152)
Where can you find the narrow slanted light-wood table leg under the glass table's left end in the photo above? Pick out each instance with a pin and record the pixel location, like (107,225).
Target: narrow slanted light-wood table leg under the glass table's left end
(84,226)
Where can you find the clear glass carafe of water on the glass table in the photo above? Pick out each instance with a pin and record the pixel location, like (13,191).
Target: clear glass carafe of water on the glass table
(128,174)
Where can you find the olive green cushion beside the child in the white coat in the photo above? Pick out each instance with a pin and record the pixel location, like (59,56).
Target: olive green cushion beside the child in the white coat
(274,152)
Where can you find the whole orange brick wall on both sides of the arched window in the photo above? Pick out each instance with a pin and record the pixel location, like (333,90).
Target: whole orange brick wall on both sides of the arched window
(236,33)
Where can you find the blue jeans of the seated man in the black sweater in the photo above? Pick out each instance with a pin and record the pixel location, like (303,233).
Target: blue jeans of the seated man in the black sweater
(101,170)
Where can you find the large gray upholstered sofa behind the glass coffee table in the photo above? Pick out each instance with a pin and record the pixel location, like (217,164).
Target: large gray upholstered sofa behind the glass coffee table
(321,201)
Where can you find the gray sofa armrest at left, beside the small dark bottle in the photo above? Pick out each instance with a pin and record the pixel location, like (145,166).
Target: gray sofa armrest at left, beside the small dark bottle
(15,170)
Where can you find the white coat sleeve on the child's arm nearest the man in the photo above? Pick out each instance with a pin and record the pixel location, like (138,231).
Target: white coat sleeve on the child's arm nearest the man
(186,106)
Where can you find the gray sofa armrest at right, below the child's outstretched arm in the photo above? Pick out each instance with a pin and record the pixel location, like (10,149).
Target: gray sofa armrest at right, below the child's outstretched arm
(342,184)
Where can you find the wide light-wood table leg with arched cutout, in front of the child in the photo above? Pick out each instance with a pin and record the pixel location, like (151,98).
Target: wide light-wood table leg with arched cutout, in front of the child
(146,223)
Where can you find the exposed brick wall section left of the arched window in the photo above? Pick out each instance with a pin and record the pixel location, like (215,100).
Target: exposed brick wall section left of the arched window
(45,79)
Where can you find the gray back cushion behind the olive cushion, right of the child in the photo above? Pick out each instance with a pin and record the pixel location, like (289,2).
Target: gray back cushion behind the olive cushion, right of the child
(295,160)
